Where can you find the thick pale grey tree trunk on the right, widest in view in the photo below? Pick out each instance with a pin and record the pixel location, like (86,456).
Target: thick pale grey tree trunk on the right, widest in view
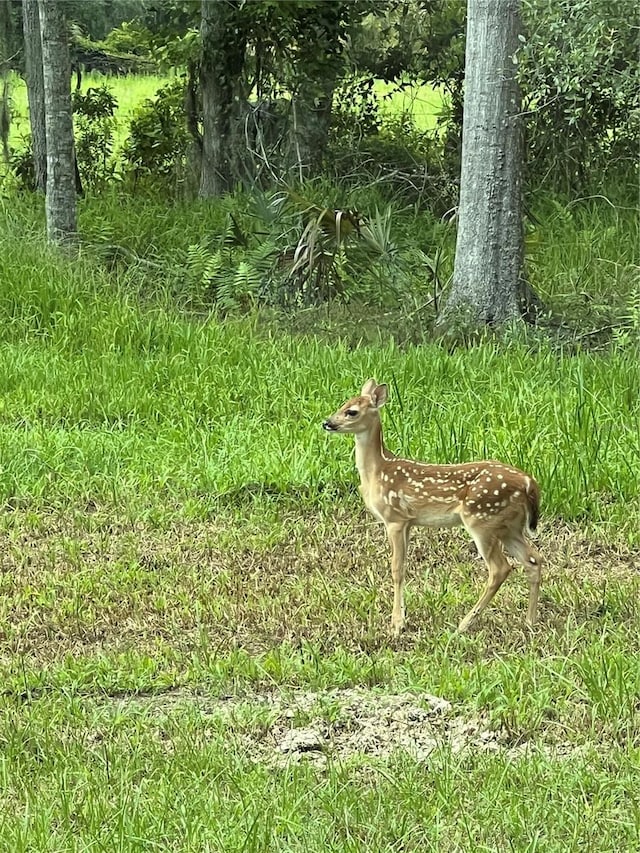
(488,282)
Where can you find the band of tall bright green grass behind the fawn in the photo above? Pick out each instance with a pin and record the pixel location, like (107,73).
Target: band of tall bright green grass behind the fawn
(133,405)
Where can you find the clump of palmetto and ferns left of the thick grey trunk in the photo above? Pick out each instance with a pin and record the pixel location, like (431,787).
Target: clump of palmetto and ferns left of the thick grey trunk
(294,252)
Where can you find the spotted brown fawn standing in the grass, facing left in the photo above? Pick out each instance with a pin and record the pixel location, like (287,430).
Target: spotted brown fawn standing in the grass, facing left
(497,504)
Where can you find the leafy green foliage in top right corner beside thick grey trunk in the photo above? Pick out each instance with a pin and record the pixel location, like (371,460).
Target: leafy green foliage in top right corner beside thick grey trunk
(582,88)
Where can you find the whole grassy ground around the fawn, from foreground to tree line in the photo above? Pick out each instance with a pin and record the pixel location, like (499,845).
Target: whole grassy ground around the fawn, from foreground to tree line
(194,646)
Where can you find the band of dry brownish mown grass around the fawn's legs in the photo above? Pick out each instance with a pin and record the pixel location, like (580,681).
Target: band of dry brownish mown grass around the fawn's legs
(73,585)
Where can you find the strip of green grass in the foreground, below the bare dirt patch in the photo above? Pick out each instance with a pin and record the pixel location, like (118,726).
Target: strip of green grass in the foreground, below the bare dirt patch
(130,779)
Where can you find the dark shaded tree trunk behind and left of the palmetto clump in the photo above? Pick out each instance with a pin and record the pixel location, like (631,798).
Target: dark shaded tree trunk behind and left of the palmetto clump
(221,67)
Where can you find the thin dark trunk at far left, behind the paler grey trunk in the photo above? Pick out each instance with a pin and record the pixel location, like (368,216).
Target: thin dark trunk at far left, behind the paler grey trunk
(35,90)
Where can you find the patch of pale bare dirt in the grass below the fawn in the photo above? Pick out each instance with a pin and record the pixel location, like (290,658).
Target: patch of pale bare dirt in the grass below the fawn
(341,724)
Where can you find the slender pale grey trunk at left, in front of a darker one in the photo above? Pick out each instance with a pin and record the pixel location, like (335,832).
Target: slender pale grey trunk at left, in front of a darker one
(61,179)
